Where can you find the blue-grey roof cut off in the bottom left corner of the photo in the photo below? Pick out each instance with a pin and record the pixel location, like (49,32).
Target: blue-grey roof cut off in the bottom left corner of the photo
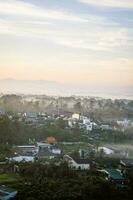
(7,193)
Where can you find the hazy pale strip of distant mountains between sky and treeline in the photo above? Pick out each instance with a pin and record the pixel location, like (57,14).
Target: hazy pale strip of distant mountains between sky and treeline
(39,87)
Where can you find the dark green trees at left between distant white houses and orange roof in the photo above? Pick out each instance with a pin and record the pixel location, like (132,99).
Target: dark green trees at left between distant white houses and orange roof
(14,132)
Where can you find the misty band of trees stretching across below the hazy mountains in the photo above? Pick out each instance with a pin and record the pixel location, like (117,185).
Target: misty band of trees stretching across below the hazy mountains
(103,109)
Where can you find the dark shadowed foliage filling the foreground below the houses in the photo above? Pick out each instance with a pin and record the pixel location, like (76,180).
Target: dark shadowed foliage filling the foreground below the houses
(60,183)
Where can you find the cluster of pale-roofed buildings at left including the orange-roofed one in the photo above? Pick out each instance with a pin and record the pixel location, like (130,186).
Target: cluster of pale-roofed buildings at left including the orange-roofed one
(39,151)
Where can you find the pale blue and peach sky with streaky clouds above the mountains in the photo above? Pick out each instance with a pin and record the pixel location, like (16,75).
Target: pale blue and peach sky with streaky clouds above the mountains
(87,42)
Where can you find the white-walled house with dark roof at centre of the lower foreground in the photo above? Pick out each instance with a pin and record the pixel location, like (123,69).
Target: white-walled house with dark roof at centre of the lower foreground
(77,164)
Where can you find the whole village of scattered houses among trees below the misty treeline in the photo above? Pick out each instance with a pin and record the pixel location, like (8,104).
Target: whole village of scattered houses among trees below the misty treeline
(78,141)
